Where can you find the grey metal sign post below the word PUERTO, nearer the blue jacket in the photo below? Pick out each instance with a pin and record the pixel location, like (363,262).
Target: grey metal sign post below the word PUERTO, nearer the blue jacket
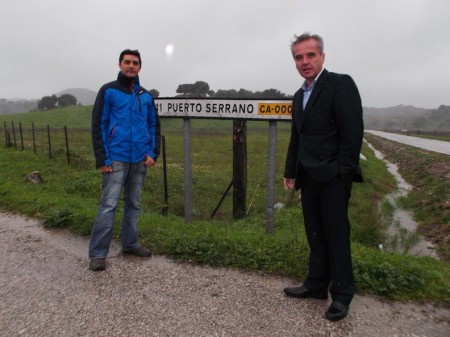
(187,171)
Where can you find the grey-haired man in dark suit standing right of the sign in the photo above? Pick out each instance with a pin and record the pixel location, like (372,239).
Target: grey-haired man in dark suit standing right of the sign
(323,161)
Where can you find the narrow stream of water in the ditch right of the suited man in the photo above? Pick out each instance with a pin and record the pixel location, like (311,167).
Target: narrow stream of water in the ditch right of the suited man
(401,232)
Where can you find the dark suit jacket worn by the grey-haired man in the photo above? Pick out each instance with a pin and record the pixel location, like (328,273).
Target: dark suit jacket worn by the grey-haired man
(326,137)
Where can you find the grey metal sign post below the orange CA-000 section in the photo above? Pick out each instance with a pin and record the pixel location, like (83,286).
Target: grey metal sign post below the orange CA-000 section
(270,197)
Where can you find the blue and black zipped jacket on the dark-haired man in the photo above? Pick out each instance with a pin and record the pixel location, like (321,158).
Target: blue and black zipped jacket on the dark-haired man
(125,124)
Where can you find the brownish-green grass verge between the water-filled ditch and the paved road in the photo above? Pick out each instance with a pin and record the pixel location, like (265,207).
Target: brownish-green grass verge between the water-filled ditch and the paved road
(429,201)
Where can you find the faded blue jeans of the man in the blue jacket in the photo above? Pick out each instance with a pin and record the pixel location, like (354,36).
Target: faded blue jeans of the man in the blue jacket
(131,178)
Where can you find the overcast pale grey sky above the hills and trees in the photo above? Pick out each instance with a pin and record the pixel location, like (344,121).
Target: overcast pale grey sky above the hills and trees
(397,51)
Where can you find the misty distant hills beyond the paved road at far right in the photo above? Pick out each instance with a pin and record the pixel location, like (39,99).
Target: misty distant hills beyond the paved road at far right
(407,117)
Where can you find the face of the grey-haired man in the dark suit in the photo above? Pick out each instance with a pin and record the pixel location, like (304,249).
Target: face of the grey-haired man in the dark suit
(308,60)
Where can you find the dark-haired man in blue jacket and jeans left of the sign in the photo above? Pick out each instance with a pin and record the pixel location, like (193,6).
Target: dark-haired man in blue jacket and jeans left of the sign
(126,141)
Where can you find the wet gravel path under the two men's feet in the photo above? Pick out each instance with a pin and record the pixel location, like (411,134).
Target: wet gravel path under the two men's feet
(46,289)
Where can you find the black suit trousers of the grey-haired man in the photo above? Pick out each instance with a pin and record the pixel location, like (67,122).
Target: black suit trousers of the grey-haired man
(325,213)
